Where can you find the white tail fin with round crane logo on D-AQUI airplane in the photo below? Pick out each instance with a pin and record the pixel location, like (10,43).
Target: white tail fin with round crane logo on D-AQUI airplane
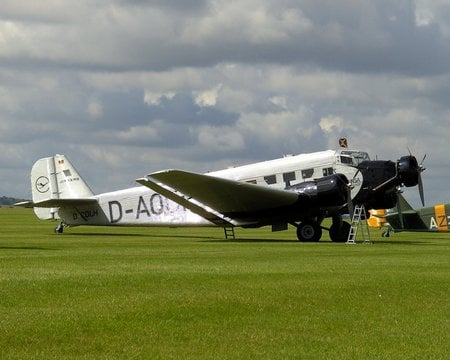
(52,179)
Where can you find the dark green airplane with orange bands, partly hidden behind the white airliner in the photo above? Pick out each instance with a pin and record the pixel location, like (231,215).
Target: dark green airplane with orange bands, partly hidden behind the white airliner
(404,218)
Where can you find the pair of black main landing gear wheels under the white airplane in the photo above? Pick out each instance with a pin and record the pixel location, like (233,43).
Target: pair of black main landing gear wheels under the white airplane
(311,231)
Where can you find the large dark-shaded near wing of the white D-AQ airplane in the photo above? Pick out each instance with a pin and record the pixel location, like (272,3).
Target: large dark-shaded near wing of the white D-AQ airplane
(219,200)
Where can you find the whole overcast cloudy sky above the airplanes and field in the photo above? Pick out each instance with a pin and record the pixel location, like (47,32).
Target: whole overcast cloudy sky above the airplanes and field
(123,88)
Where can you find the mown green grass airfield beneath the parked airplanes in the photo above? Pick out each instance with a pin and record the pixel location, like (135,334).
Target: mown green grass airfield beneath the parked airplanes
(159,293)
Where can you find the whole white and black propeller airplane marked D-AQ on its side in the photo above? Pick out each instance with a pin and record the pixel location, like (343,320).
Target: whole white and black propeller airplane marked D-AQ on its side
(300,190)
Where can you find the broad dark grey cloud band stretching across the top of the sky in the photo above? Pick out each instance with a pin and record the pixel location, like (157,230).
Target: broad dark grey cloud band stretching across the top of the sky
(344,35)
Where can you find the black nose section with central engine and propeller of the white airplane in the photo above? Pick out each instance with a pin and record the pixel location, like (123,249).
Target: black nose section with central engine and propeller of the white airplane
(381,180)
